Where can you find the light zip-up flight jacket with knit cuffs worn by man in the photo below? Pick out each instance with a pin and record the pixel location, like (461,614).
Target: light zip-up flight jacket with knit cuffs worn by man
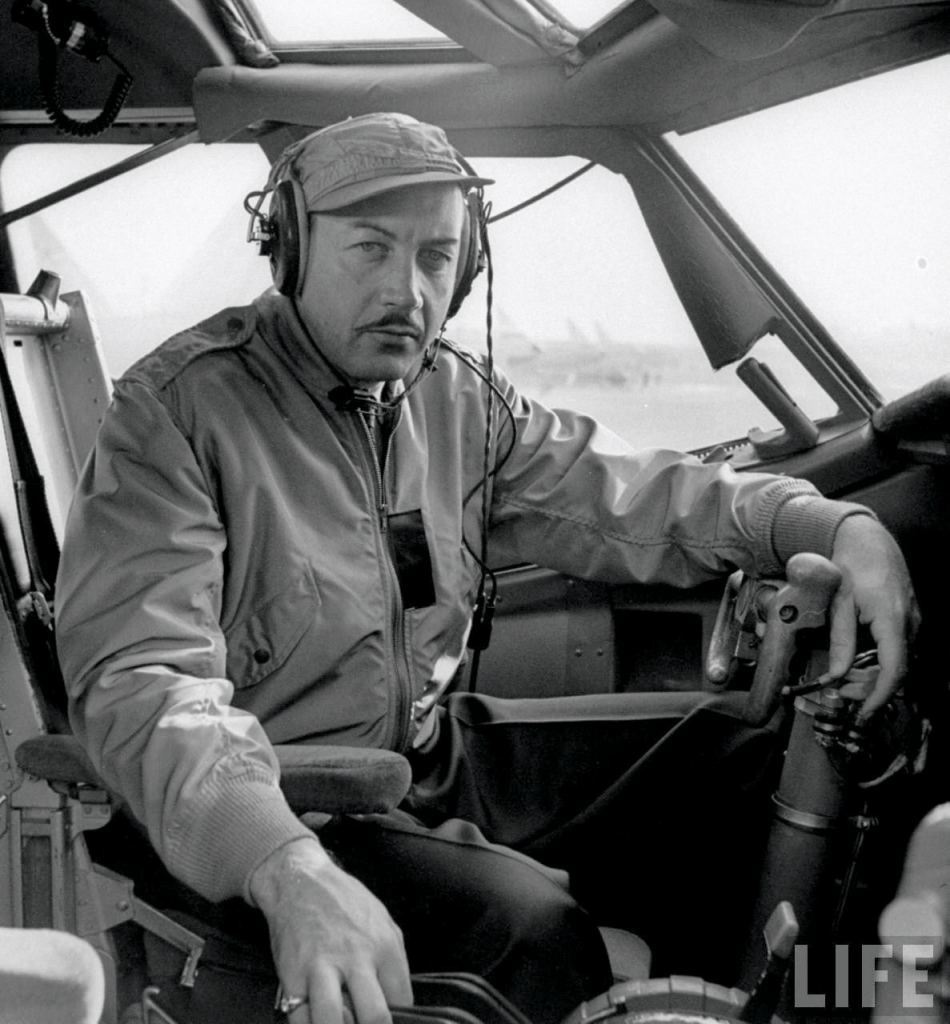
(230,580)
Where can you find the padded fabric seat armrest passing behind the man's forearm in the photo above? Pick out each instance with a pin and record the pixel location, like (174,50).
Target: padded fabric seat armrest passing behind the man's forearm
(332,780)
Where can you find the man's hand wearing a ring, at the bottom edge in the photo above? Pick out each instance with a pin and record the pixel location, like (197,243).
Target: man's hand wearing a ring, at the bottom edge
(332,940)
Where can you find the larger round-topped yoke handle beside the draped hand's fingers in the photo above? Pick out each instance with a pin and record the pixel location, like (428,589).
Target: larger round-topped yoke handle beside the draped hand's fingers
(801,604)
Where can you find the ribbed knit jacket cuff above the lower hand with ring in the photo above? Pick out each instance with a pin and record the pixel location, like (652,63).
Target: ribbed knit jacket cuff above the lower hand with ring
(218,851)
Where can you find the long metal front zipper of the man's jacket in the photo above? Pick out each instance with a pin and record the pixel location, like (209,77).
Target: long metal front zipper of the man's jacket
(400,734)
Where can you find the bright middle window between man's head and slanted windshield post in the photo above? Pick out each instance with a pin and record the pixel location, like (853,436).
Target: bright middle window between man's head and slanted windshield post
(585,316)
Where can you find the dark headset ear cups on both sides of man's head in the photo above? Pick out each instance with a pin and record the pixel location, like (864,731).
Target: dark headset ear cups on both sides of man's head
(284,234)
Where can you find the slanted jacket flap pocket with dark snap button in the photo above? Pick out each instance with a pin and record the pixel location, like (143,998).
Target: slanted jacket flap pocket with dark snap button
(260,645)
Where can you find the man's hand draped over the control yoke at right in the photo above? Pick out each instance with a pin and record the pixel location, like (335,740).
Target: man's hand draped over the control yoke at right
(876,591)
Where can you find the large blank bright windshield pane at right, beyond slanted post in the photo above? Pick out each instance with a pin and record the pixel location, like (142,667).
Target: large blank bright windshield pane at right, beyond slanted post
(848,195)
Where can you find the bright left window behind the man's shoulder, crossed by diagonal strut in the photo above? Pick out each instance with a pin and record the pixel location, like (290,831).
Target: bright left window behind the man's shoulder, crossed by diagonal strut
(155,250)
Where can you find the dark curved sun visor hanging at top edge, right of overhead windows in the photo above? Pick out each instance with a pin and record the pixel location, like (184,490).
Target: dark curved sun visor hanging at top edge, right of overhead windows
(745,30)
